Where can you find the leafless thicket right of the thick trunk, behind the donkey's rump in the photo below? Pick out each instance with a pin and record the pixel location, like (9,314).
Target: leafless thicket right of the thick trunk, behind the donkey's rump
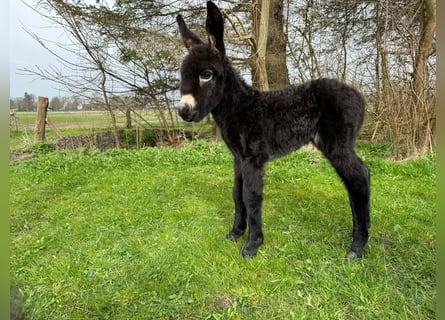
(385,47)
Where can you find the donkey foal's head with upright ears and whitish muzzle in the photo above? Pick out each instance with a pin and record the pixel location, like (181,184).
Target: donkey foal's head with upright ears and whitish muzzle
(202,71)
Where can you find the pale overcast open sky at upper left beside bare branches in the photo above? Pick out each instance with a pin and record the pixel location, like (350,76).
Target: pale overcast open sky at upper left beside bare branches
(26,52)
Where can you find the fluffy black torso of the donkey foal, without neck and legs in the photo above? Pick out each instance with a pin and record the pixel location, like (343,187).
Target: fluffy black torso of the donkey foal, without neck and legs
(323,111)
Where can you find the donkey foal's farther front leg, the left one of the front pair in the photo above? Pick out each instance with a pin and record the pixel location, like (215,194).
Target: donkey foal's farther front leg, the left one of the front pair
(240,223)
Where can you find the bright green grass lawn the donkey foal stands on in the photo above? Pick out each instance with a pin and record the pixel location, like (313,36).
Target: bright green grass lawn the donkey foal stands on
(140,234)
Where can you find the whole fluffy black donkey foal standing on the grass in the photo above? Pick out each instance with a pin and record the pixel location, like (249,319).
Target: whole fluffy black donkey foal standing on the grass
(260,126)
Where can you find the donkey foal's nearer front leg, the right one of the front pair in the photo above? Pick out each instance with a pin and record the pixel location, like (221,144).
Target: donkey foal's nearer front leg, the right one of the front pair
(253,198)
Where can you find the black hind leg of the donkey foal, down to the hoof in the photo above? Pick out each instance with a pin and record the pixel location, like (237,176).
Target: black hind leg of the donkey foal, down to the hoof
(356,178)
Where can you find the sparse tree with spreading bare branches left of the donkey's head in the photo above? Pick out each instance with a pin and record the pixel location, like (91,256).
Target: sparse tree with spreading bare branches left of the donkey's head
(113,56)
